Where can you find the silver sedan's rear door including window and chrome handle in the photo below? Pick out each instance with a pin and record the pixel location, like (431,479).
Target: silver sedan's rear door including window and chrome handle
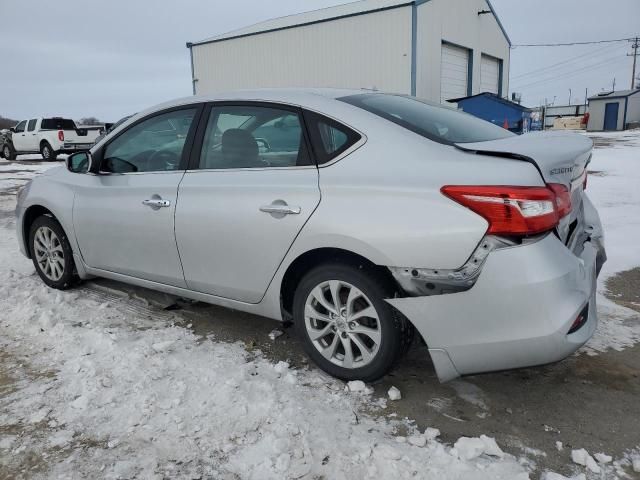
(251,188)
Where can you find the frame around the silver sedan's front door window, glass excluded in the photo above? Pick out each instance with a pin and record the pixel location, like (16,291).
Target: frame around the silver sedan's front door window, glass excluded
(98,156)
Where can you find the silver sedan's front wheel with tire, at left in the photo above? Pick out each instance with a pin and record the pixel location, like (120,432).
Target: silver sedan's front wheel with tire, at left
(51,253)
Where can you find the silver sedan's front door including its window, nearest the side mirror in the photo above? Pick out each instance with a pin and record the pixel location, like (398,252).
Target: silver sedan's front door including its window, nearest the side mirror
(124,217)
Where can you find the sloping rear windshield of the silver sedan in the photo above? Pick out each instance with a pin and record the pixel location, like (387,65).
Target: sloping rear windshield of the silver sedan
(435,122)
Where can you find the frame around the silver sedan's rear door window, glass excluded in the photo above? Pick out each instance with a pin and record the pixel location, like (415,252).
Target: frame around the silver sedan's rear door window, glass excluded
(194,161)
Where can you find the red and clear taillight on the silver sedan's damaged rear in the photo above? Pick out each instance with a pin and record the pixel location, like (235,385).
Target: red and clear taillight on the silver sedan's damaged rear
(509,210)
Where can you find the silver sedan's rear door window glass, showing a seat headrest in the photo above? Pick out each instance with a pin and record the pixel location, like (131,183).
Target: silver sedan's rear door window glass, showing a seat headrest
(239,136)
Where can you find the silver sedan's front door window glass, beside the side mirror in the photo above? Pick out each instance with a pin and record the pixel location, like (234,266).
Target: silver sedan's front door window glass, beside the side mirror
(153,145)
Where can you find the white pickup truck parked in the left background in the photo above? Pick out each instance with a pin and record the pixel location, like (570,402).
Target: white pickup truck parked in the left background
(47,136)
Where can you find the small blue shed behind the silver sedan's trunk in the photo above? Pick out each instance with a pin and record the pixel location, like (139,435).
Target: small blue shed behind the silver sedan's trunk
(497,110)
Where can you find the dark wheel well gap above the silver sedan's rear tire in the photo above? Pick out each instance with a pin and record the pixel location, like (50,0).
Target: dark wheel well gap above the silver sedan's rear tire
(311,259)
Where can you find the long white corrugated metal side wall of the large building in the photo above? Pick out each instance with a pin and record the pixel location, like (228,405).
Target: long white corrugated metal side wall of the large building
(365,51)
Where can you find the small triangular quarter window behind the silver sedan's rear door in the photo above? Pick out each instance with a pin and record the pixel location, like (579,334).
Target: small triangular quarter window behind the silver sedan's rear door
(328,137)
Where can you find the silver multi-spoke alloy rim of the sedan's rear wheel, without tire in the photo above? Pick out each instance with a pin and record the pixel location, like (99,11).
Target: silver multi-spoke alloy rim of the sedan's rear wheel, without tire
(343,324)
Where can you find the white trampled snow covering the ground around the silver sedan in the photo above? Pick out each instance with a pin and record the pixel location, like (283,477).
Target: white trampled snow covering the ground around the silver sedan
(99,391)
